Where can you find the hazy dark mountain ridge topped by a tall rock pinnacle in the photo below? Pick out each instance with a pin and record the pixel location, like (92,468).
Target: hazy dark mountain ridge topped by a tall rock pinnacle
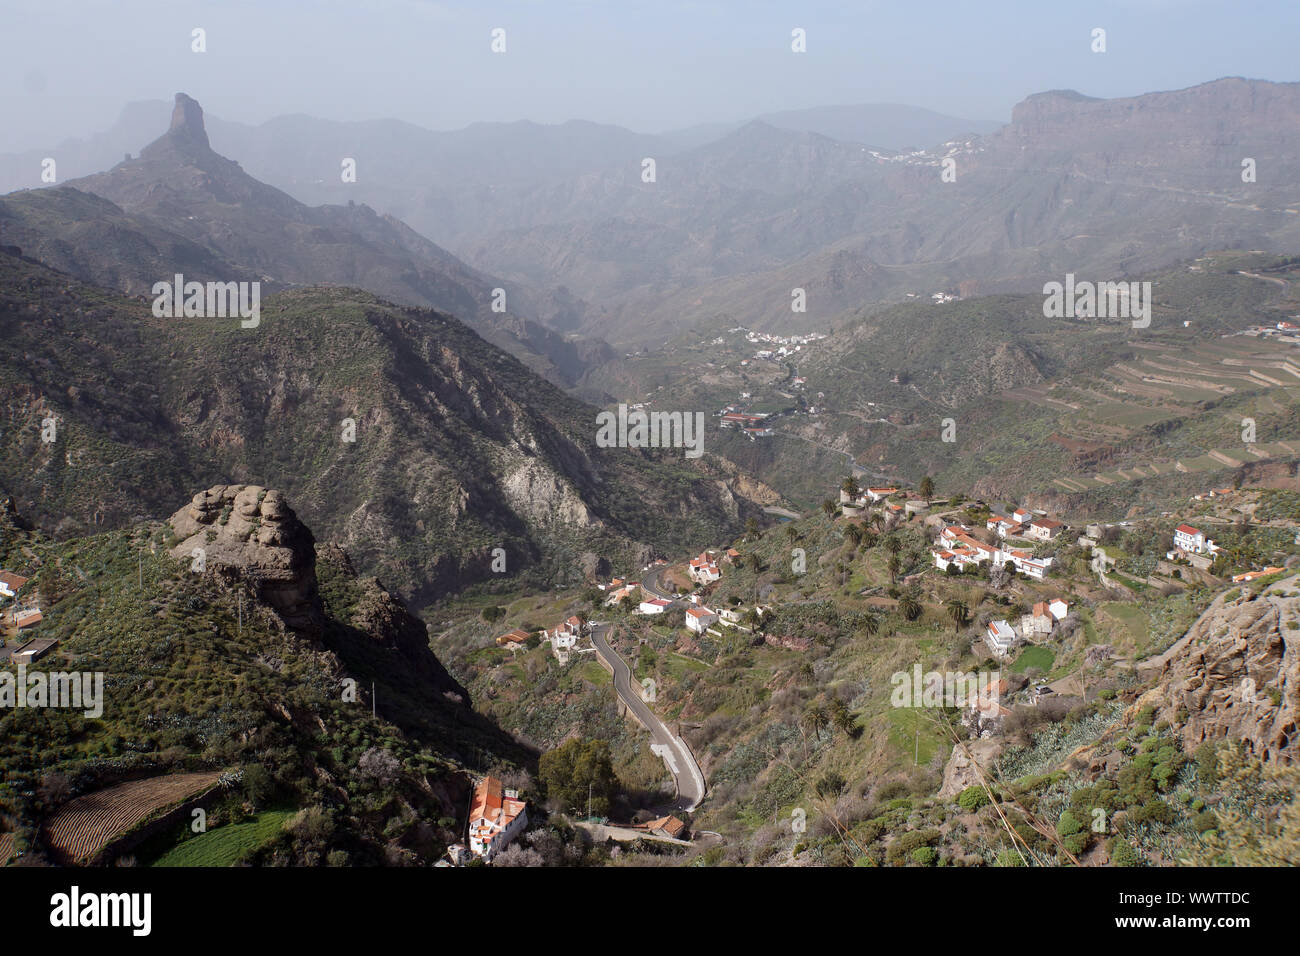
(180,196)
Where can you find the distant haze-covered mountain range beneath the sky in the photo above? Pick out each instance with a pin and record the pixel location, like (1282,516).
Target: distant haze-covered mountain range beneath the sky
(817,200)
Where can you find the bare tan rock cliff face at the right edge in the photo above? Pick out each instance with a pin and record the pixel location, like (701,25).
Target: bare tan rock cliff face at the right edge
(1236,676)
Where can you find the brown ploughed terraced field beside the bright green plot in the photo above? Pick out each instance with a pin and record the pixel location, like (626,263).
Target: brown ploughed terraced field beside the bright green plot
(83,828)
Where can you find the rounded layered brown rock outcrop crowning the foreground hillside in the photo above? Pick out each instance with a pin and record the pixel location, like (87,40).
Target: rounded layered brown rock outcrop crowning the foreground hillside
(249,535)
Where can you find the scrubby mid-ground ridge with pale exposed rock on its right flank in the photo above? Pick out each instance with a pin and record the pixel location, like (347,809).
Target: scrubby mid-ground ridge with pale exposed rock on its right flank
(460,451)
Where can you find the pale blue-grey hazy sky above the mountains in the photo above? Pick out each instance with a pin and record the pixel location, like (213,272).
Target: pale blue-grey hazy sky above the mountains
(68,67)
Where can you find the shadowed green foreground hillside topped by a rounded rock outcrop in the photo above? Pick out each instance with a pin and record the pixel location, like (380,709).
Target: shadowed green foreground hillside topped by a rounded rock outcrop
(205,672)
